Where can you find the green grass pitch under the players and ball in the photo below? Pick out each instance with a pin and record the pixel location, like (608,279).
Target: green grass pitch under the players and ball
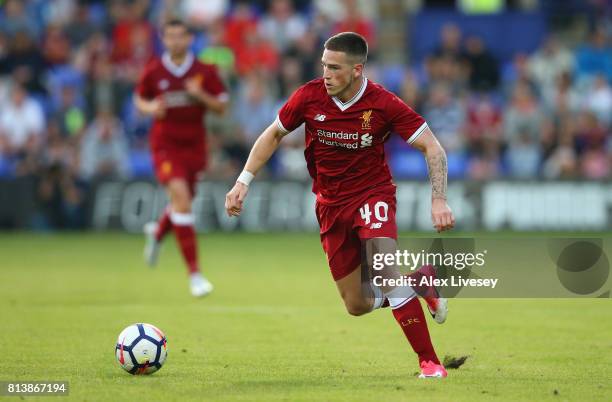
(274,329)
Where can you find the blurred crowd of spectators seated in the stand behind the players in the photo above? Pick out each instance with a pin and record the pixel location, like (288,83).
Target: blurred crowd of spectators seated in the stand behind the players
(68,69)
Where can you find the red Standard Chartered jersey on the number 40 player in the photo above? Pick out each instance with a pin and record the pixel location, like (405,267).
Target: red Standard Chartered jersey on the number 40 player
(345,150)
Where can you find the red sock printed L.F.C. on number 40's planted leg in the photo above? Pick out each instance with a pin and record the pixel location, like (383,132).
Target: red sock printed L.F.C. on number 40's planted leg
(411,319)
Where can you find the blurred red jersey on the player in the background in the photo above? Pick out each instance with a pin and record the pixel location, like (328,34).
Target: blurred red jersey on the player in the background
(183,124)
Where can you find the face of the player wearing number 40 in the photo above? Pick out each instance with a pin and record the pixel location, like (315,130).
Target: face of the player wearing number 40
(339,74)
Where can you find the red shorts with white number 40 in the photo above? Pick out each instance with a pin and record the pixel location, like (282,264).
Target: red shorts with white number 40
(345,227)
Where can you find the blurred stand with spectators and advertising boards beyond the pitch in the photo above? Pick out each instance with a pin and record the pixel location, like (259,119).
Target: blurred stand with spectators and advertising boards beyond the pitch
(518,91)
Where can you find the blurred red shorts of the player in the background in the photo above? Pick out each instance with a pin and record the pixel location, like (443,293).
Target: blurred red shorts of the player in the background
(179,163)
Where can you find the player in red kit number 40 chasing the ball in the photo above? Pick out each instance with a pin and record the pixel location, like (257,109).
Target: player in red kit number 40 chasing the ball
(348,118)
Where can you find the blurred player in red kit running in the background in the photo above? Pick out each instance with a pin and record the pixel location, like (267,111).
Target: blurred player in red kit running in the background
(177,90)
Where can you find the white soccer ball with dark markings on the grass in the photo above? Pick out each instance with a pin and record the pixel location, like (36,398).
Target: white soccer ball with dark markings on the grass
(141,349)
